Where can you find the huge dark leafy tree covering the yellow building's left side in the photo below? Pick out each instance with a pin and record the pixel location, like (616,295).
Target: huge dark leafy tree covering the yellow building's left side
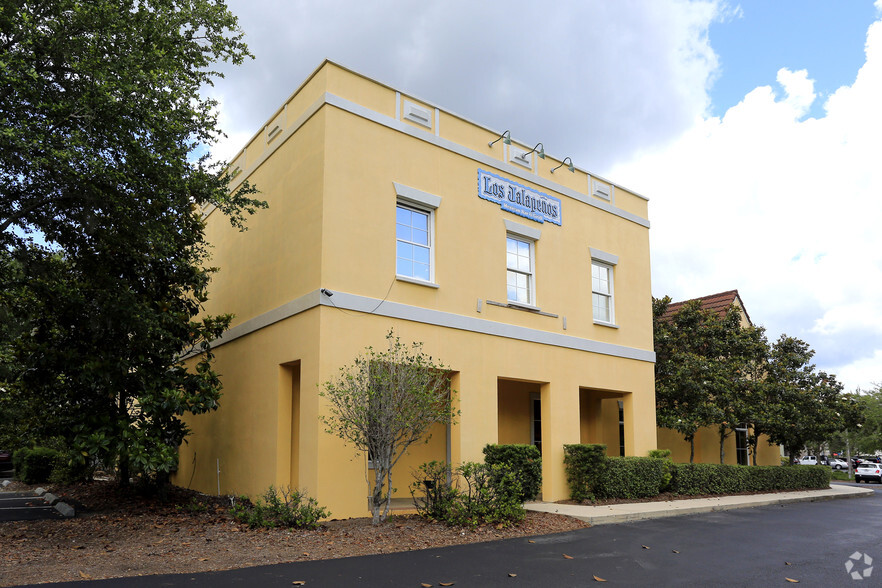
(101,225)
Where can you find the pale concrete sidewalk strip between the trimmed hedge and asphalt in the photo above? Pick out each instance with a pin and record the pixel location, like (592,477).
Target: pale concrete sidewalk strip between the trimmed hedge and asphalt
(636,511)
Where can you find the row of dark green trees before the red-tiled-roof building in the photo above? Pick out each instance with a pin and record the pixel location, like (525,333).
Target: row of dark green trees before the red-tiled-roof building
(710,371)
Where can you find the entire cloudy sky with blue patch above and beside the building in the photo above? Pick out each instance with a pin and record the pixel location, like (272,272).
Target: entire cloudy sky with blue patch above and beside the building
(754,127)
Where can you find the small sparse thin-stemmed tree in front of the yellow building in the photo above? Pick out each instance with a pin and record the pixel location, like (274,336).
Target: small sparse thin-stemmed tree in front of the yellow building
(385,402)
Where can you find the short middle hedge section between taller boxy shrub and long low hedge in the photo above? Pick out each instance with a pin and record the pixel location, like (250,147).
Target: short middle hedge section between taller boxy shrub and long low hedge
(632,477)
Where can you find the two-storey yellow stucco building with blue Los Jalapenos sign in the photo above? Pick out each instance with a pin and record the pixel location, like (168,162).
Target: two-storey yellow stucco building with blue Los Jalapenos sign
(529,277)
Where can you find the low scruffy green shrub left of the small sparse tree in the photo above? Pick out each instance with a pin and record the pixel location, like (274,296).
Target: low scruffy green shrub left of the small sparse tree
(282,507)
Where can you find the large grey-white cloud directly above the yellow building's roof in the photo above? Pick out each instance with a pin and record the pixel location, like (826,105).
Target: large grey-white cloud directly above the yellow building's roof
(590,79)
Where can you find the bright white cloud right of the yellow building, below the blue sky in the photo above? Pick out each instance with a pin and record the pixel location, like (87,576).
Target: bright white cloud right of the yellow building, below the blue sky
(784,208)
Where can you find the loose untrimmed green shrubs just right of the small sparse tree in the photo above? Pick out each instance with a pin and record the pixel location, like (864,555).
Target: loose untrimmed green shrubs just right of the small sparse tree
(477,494)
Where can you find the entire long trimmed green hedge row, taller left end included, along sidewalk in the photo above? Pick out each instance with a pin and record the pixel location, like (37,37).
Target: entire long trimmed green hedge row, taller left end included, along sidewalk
(591,474)
